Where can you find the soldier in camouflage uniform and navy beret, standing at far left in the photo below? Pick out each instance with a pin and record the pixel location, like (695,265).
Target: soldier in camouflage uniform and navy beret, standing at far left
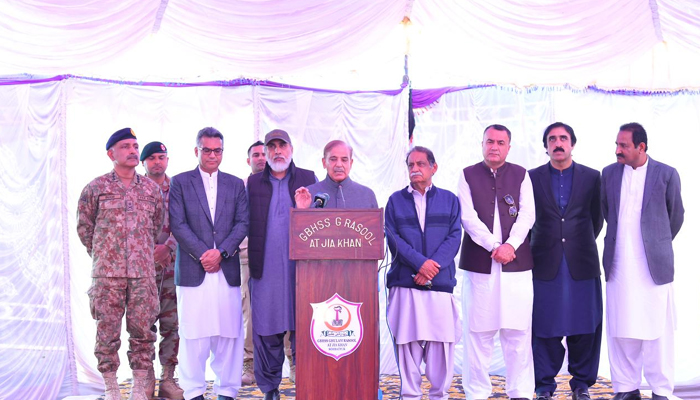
(119,216)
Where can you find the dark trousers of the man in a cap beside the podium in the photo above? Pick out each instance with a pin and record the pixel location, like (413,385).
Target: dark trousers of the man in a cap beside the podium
(268,358)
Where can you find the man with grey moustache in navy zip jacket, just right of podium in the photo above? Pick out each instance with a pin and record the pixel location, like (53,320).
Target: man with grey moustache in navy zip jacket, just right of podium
(424,234)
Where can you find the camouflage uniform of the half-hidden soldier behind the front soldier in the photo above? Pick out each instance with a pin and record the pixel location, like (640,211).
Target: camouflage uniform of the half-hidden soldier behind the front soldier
(165,280)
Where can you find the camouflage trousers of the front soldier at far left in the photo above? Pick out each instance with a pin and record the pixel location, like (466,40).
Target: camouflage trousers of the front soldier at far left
(109,299)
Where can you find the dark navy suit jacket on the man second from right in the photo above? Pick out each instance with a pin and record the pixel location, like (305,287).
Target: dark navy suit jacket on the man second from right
(571,234)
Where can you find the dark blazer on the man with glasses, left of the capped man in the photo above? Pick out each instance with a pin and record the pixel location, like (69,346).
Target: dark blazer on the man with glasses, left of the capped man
(191,224)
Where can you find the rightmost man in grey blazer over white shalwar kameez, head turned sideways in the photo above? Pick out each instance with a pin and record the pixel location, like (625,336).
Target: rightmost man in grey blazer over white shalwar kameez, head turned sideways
(641,201)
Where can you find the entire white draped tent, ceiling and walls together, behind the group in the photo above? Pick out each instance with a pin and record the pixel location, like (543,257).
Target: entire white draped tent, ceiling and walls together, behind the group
(167,68)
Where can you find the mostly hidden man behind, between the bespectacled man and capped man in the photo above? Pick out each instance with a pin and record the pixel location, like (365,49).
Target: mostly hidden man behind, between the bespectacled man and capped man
(256,162)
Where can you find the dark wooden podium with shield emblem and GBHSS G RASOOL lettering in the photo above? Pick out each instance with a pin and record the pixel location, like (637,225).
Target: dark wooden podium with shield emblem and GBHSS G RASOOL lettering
(337,302)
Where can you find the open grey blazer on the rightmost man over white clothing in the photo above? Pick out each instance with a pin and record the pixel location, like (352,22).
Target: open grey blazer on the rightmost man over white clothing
(661,219)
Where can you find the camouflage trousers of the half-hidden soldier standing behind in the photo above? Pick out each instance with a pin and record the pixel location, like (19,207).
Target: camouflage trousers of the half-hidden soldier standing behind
(167,318)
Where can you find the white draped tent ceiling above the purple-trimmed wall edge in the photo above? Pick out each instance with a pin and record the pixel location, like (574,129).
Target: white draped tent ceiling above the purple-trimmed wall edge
(359,44)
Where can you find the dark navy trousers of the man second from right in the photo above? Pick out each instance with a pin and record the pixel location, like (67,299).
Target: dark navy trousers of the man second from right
(584,355)
